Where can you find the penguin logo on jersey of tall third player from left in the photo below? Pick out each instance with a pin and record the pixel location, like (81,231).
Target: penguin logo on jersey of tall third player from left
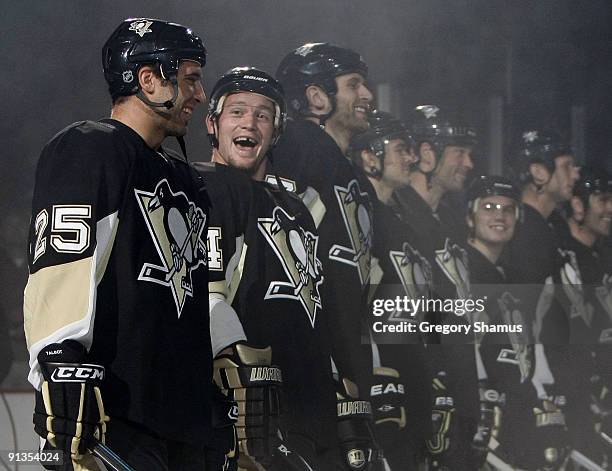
(356,212)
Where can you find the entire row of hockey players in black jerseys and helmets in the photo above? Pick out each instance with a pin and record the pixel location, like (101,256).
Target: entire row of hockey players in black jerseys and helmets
(289,241)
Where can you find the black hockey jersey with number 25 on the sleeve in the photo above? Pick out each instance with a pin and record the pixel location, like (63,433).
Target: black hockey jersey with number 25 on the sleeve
(117,260)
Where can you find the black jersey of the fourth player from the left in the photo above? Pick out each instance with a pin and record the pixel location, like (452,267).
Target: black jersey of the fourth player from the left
(406,274)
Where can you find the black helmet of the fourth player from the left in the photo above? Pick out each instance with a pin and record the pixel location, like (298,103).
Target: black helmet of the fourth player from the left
(384,127)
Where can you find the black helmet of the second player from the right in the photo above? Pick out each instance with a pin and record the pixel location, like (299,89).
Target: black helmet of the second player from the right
(537,146)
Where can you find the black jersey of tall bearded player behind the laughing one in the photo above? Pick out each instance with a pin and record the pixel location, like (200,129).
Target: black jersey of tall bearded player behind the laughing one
(306,157)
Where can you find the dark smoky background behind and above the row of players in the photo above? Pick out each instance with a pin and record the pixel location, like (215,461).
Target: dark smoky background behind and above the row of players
(544,62)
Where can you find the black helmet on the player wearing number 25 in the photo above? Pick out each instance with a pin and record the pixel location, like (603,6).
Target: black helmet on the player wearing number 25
(140,41)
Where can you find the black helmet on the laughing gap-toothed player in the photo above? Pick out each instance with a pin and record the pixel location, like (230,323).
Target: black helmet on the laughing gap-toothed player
(253,80)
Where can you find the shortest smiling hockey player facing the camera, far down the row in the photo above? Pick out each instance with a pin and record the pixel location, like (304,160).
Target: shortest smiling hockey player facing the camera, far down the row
(505,359)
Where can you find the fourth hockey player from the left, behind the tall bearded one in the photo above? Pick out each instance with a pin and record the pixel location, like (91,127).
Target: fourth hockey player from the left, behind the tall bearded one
(399,393)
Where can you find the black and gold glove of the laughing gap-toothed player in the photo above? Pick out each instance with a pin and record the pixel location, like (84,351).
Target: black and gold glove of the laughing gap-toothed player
(247,377)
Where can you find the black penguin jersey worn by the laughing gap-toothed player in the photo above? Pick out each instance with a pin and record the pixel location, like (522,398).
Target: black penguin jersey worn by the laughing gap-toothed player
(264,259)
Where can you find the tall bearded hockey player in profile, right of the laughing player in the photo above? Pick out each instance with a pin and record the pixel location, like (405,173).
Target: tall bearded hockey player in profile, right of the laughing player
(329,101)
